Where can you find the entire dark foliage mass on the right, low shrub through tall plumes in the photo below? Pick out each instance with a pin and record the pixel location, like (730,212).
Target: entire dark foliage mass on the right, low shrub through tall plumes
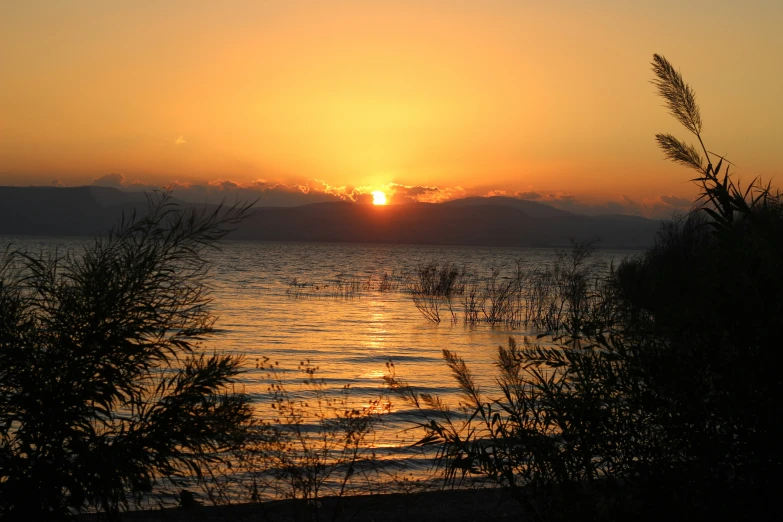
(665,403)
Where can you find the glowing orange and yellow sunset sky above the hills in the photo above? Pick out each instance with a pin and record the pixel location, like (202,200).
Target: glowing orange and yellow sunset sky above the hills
(466,96)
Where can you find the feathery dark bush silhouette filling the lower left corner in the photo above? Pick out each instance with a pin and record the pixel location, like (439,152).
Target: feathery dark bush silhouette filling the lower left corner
(104,388)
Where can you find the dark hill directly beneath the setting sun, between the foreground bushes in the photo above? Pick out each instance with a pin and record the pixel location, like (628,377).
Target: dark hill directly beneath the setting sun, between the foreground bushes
(442,224)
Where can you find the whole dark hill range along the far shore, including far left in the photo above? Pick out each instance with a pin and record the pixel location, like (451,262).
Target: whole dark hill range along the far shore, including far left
(498,221)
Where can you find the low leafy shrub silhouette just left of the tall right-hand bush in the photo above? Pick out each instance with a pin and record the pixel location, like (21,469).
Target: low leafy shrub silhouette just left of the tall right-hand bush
(566,416)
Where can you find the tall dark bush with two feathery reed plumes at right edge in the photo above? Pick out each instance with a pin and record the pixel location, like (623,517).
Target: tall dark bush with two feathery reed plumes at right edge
(711,290)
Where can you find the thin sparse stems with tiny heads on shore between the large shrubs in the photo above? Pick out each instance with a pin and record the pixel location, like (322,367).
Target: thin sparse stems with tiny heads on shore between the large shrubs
(314,442)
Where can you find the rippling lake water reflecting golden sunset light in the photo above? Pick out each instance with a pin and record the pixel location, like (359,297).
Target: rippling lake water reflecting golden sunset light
(328,303)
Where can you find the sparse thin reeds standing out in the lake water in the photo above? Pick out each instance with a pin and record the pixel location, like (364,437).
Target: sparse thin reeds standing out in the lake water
(500,297)
